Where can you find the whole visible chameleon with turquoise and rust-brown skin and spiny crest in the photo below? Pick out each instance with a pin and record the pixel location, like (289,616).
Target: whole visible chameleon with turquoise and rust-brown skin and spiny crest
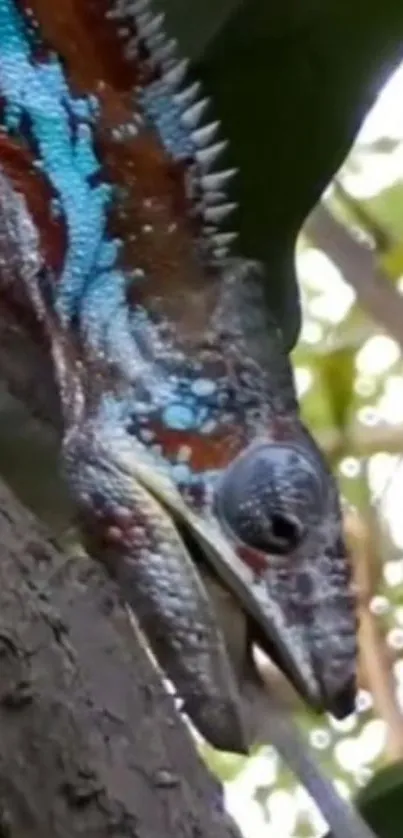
(182,442)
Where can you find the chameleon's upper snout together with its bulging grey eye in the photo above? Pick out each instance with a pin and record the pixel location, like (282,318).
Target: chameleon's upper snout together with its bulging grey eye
(278,504)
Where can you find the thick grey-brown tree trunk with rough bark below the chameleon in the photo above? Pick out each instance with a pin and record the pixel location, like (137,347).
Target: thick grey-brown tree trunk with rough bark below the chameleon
(90,743)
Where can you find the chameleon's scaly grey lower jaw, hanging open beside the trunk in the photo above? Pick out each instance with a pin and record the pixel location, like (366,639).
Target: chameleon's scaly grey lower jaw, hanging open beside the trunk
(126,528)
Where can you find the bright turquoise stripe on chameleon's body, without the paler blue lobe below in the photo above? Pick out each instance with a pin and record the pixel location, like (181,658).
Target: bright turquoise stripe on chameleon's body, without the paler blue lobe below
(40,91)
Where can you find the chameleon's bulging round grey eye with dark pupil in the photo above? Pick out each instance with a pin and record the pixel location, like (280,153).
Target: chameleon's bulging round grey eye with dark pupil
(271,497)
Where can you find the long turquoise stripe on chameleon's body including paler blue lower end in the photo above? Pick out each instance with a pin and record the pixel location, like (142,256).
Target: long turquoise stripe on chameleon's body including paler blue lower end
(89,282)
